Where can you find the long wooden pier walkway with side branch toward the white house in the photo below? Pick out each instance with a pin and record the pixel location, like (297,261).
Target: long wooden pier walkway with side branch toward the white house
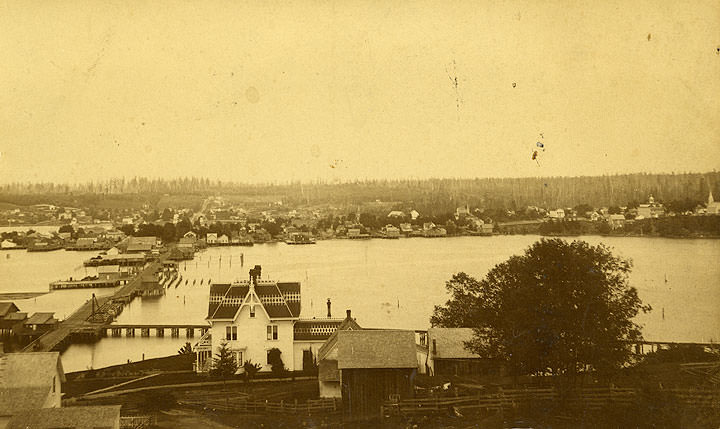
(80,322)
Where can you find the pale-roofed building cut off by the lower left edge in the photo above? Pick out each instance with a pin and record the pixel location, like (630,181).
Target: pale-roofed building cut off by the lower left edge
(29,382)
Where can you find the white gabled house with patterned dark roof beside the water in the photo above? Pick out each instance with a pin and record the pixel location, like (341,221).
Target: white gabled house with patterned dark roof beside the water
(255,316)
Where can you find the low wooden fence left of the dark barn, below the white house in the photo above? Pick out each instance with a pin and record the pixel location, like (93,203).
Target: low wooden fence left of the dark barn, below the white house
(245,405)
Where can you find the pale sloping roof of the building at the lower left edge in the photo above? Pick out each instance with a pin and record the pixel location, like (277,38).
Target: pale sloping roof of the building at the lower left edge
(29,369)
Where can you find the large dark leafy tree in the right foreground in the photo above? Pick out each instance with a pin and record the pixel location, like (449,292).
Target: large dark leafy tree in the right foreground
(559,308)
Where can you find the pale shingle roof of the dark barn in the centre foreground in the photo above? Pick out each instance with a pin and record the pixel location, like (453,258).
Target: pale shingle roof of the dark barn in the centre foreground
(376,349)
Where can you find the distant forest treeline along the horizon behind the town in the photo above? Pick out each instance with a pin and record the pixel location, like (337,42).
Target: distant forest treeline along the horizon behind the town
(434,195)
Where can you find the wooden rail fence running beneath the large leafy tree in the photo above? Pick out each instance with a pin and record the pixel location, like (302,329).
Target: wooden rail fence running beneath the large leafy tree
(587,398)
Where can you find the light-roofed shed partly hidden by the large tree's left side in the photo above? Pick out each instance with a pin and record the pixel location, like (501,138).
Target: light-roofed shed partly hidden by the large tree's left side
(447,355)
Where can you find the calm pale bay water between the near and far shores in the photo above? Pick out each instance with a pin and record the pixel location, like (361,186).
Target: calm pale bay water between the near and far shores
(386,283)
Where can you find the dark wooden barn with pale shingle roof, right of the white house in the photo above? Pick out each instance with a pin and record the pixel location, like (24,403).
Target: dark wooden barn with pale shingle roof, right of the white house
(375,366)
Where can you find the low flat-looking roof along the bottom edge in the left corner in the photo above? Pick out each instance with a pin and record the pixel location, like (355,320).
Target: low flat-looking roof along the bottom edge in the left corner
(91,417)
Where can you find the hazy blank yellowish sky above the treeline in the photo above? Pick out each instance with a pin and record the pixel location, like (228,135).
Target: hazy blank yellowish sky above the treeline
(265,91)
